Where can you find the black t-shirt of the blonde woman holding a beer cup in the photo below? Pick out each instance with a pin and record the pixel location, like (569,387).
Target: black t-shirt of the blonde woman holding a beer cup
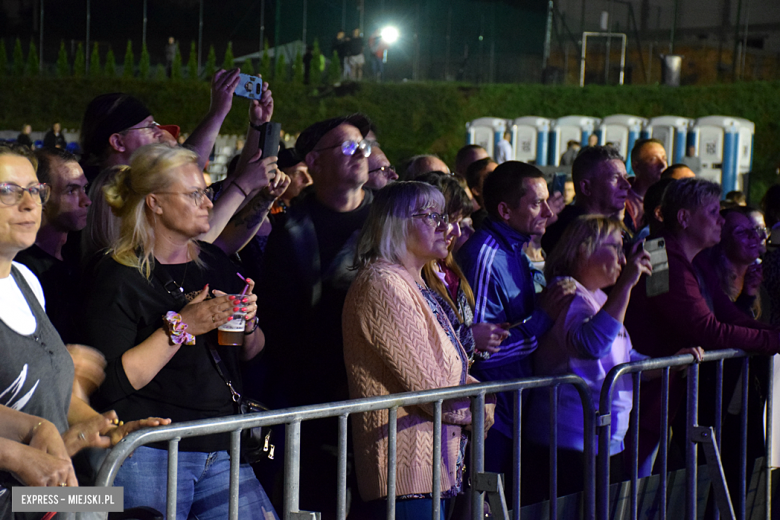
(124,308)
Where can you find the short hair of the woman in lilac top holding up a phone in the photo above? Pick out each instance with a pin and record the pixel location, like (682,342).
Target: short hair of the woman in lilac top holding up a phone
(578,242)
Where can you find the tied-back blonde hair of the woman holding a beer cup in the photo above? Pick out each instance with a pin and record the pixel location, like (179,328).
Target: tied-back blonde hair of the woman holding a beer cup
(150,171)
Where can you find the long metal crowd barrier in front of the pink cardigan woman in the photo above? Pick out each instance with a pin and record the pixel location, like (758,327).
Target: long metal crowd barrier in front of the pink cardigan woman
(292,418)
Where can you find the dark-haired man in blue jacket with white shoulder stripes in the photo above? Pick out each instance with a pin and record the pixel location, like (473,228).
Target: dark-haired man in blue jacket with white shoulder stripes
(515,196)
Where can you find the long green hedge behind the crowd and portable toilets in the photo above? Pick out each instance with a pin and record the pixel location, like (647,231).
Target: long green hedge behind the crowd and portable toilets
(411,117)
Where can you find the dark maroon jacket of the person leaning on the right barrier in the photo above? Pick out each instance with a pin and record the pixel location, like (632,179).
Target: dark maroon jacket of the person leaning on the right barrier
(695,312)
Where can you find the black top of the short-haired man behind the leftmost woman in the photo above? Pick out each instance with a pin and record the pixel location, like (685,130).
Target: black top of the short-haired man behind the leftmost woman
(60,282)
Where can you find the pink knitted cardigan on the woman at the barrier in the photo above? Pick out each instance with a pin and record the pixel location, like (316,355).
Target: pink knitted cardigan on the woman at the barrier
(393,343)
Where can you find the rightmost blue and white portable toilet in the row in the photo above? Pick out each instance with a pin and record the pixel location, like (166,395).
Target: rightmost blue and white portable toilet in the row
(725,147)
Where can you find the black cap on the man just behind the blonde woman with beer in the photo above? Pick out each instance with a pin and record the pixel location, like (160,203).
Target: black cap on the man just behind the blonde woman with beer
(106,115)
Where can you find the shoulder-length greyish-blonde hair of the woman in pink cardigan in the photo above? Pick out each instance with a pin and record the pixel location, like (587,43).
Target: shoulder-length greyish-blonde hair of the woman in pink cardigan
(386,229)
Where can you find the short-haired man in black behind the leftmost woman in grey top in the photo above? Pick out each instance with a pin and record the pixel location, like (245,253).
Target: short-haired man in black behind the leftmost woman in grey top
(54,258)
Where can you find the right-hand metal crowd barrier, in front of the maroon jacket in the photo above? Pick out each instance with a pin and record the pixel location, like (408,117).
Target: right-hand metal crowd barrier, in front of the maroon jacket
(695,434)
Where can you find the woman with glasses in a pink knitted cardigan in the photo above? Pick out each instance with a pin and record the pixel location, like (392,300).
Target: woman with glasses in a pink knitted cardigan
(397,338)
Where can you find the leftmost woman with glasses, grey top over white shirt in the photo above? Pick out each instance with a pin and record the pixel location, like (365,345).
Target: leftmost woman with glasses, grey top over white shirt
(36,372)
